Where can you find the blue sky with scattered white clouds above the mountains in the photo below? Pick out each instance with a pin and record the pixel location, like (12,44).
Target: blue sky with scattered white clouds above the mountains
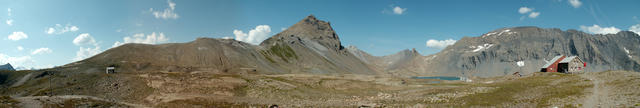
(47,33)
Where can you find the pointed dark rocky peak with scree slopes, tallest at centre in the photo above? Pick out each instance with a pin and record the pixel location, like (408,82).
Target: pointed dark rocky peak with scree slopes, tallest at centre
(313,47)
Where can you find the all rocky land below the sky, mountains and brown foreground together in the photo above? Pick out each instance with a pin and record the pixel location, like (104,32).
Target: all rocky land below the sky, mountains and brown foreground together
(307,66)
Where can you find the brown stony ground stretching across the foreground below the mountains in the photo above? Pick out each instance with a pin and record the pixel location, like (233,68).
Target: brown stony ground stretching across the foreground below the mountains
(206,89)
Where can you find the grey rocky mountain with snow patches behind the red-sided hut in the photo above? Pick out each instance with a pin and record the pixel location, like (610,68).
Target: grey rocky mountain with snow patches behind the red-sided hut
(496,52)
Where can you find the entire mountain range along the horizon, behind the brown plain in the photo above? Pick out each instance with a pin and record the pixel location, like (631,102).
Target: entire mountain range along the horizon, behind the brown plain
(312,46)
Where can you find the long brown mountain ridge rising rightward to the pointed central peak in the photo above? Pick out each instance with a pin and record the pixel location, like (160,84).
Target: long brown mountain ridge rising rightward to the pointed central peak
(309,46)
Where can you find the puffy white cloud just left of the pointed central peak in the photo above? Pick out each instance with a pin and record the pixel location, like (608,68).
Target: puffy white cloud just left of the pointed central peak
(255,36)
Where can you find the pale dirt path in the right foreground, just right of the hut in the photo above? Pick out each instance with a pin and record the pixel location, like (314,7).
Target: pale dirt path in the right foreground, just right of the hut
(600,95)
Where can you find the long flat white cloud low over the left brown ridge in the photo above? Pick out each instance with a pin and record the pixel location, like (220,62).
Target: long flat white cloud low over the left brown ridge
(152,38)
